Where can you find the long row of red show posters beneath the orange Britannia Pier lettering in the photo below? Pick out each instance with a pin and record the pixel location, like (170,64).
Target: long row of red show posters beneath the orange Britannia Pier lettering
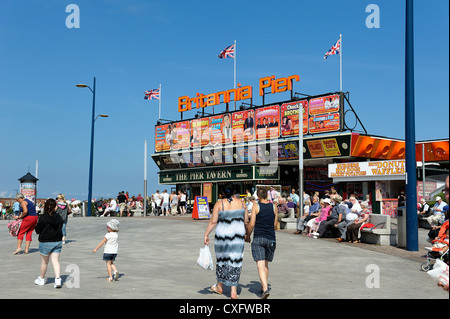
(320,114)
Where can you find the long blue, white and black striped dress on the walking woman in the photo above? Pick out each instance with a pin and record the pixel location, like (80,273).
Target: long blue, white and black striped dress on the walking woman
(229,242)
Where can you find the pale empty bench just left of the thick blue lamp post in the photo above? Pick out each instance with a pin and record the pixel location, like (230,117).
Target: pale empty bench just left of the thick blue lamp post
(381,233)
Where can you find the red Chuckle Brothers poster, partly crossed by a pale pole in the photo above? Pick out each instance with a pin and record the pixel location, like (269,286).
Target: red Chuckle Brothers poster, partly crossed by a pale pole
(290,118)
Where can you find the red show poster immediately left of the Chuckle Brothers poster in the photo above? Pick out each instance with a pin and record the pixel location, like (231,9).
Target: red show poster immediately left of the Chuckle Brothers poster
(267,122)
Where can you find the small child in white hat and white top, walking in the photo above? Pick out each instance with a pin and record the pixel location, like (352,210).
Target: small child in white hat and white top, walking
(111,247)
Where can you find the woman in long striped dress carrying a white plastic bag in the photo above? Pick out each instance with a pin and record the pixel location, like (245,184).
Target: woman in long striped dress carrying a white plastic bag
(230,218)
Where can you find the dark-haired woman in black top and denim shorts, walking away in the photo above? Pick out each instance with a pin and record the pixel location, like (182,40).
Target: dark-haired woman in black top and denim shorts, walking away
(49,229)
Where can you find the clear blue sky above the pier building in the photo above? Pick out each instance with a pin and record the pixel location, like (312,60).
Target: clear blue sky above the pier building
(133,46)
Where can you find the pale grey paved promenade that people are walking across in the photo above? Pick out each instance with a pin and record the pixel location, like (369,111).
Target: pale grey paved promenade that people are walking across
(157,260)
